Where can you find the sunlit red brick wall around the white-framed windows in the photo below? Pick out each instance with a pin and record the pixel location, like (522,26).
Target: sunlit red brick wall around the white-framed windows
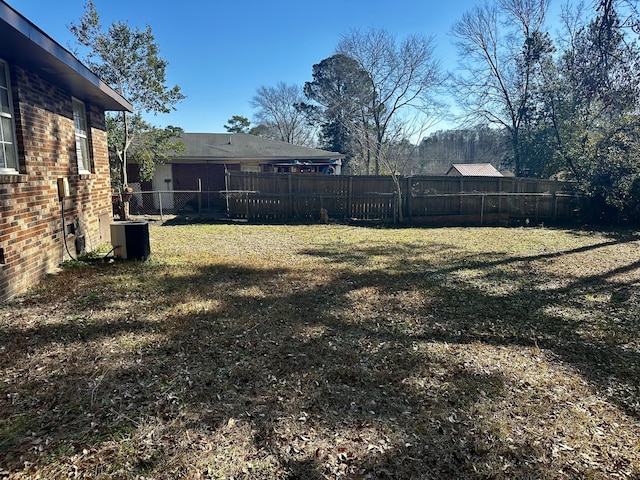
(31,233)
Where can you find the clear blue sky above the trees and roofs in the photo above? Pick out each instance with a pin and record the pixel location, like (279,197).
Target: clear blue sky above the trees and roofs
(219,53)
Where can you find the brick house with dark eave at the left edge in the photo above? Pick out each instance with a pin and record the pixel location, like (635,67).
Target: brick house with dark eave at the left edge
(52,139)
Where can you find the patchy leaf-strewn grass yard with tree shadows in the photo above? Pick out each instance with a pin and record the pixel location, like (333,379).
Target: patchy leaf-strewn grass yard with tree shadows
(327,351)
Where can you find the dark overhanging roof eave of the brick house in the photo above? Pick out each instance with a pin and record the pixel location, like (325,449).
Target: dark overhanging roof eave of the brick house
(23,43)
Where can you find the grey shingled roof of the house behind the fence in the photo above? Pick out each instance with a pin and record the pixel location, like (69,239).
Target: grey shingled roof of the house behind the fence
(240,146)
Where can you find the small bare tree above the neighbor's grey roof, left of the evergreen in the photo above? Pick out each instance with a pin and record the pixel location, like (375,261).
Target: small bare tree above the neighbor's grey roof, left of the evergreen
(275,111)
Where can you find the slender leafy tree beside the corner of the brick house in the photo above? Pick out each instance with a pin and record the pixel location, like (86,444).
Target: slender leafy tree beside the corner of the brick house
(129,61)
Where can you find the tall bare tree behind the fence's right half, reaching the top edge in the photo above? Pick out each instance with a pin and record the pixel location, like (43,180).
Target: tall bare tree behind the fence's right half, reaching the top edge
(502,48)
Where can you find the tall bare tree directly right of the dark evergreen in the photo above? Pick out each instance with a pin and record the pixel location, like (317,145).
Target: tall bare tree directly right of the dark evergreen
(404,77)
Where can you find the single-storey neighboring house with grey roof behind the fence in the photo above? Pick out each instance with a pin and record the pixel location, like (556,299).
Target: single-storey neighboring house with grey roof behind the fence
(208,156)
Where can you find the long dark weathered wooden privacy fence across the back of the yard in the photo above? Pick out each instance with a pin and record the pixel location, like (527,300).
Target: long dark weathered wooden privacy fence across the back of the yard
(257,196)
